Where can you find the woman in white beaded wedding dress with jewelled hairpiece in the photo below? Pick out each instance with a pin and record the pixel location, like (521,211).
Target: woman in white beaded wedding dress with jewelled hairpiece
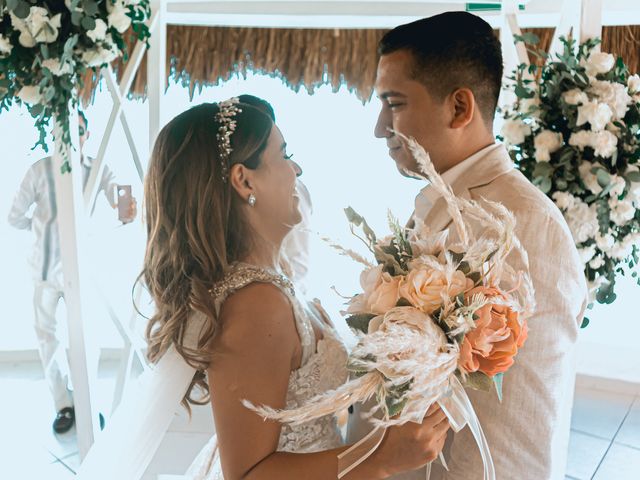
(220,198)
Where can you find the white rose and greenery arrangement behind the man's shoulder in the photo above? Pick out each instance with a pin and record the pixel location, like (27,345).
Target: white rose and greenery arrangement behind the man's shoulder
(579,142)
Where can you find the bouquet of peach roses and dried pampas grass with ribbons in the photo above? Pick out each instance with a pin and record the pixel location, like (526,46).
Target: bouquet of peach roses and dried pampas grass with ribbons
(438,311)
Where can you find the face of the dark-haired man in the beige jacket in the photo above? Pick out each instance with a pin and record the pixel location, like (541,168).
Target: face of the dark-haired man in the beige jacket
(408,108)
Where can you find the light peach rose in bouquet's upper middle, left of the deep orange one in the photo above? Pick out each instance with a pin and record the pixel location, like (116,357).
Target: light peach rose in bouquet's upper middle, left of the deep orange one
(424,287)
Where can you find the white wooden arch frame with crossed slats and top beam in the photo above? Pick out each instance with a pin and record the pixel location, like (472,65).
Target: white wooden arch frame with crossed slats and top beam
(583,16)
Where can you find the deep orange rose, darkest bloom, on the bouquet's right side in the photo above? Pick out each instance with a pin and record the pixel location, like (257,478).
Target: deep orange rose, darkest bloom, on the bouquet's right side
(492,344)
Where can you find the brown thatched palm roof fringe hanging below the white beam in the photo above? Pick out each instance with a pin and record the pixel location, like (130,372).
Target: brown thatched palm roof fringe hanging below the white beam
(199,56)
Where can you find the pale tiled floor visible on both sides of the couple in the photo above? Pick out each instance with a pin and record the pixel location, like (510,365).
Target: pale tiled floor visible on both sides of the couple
(604,445)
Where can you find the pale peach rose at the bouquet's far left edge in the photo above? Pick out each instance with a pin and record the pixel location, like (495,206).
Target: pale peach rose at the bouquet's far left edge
(380,292)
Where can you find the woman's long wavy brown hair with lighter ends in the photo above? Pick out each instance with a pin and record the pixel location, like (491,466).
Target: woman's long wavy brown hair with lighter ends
(195,228)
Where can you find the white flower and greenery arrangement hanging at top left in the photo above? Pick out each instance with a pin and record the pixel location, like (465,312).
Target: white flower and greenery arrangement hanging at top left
(46,48)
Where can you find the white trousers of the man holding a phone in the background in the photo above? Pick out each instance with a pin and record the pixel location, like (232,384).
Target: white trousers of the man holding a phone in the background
(54,362)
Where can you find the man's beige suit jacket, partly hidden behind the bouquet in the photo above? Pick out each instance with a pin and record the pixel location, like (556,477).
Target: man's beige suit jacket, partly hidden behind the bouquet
(528,433)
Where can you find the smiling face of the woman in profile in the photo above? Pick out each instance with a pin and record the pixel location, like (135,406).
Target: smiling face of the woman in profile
(274,183)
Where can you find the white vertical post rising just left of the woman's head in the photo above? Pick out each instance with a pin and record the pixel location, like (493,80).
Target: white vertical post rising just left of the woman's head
(156,69)
